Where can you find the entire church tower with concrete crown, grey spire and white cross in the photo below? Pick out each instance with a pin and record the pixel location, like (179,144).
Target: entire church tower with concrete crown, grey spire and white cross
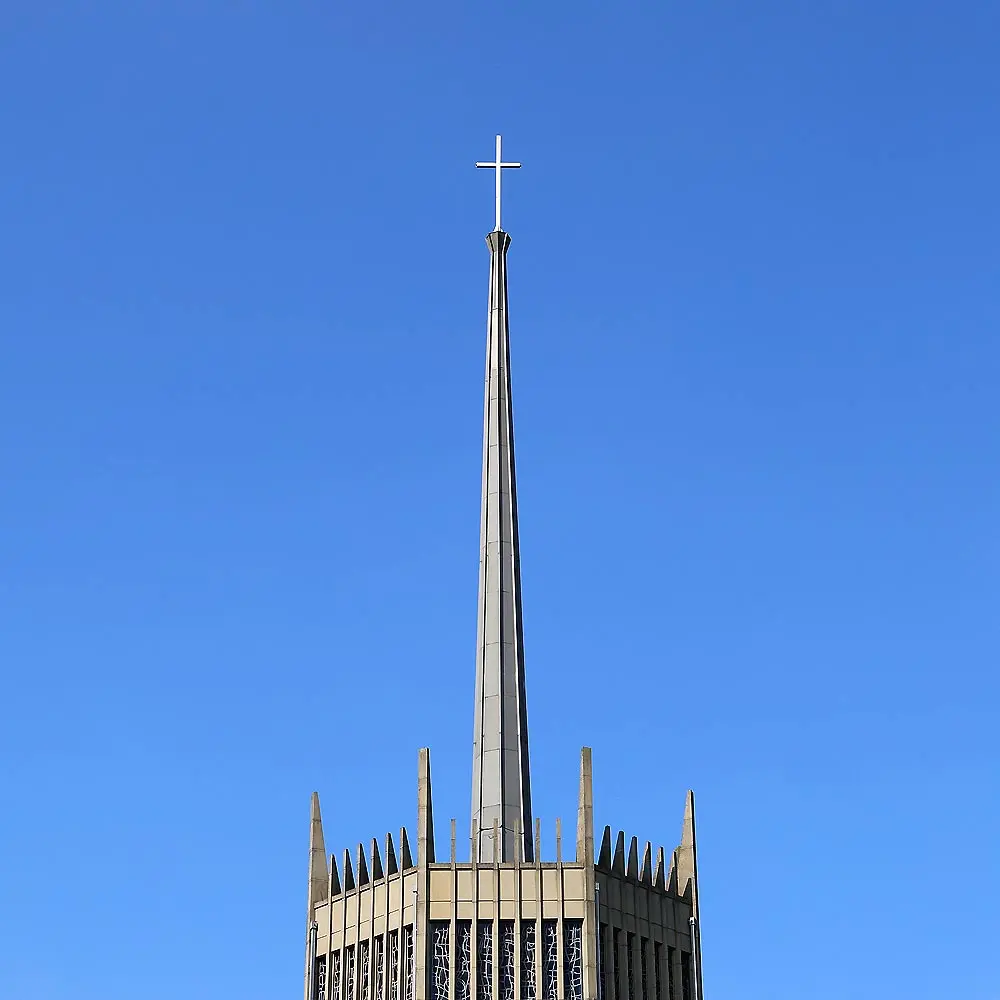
(502,923)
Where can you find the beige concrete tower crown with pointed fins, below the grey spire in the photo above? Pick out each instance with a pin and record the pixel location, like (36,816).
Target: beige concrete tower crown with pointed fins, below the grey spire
(565,929)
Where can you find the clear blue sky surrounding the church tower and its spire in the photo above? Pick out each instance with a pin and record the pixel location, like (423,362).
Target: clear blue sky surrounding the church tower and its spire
(754,287)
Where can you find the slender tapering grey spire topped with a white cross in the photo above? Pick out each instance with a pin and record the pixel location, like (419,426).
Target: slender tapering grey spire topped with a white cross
(501,791)
